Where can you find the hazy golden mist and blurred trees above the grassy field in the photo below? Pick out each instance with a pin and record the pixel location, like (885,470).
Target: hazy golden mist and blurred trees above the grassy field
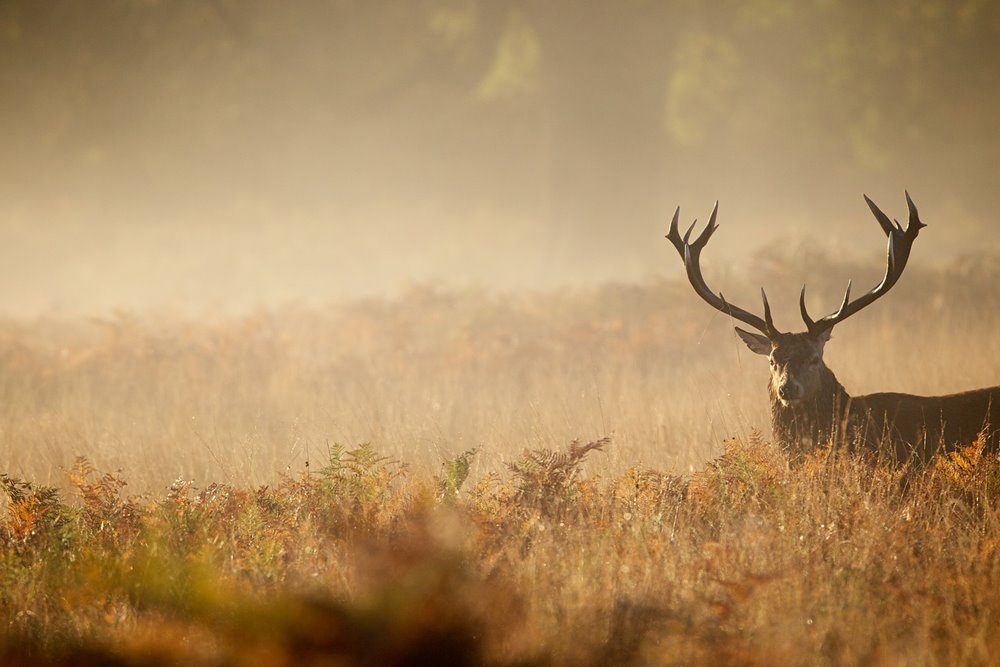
(210,157)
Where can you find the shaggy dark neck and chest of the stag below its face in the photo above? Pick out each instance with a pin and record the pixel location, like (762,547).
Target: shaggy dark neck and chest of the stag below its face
(802,427)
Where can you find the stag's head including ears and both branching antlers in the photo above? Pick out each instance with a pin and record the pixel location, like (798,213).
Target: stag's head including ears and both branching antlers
(797,368)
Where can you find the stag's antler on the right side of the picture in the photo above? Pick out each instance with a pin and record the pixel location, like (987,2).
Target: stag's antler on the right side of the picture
(900,242)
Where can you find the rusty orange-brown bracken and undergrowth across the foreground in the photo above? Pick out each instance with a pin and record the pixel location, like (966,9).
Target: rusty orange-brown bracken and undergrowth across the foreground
(747,561)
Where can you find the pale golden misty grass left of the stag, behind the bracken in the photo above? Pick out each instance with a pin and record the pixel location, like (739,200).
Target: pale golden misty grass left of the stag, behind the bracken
(422,378)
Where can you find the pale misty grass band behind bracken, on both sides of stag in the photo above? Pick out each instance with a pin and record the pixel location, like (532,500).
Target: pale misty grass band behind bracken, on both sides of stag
(433,373)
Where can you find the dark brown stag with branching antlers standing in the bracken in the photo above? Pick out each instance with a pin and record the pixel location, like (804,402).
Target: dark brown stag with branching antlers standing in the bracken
(810,407)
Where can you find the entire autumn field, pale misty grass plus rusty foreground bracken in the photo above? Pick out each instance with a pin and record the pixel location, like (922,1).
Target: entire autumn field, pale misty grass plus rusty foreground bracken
(569,477)
